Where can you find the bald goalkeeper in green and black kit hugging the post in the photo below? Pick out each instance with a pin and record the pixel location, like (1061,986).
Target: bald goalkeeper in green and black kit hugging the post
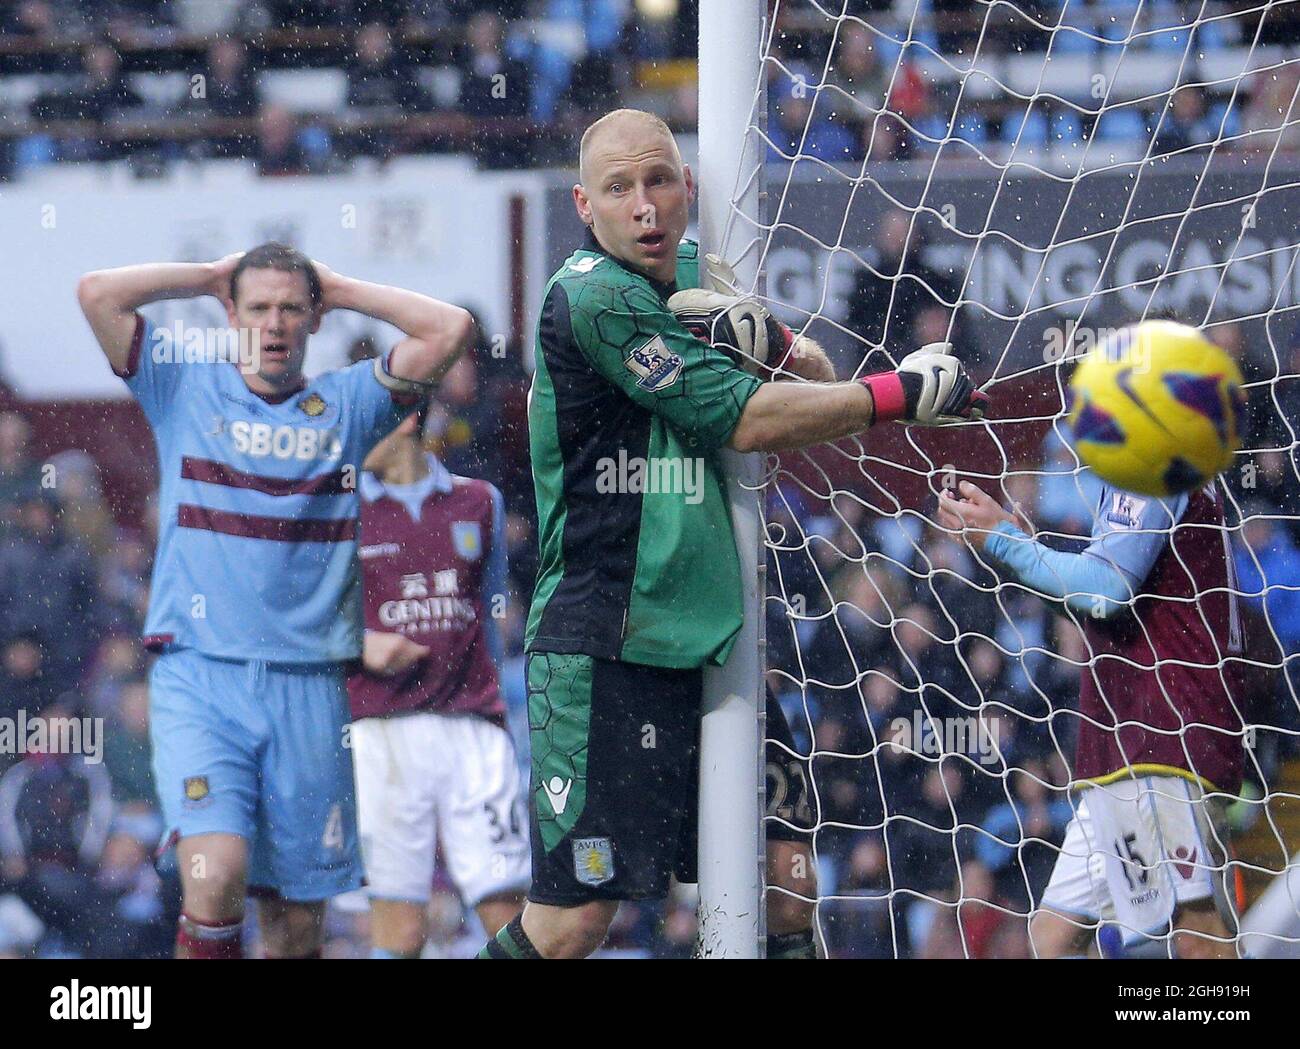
(639,586)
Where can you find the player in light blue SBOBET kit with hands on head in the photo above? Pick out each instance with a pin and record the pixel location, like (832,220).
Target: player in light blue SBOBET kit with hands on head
(257,602)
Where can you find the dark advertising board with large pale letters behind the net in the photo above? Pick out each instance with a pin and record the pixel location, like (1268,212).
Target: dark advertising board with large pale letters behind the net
(1041,252)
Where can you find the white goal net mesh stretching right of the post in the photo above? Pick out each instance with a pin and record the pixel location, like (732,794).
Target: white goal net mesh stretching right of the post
(1020,180)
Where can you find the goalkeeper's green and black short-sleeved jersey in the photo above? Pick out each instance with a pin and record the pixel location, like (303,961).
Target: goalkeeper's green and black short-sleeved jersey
(626,419)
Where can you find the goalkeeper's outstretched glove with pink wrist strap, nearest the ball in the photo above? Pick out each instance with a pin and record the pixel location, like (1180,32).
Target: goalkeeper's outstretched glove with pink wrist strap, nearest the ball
(930,388)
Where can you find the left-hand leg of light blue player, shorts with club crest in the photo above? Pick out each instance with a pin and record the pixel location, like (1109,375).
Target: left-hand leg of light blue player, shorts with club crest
(205,764)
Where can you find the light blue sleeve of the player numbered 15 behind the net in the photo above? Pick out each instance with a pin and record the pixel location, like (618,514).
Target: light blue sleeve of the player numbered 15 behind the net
(1129,536)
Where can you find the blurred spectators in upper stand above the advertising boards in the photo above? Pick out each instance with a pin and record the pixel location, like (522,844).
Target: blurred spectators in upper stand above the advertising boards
(311,85)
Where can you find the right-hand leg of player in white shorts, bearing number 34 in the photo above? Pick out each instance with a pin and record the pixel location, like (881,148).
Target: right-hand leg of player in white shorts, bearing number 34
(483,817)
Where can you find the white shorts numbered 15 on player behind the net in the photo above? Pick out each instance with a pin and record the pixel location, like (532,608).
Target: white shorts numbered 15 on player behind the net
(1136,851)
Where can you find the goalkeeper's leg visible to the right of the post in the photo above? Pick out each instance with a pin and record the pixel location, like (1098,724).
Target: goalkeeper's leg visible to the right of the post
(788,826)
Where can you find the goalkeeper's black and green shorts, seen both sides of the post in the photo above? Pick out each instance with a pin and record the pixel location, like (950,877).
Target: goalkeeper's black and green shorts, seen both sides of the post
(616,770)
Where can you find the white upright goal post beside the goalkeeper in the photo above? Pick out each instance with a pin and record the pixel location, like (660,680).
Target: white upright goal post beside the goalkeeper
(731,739)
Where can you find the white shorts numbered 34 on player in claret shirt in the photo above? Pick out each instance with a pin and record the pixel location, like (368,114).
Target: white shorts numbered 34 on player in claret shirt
(426,781)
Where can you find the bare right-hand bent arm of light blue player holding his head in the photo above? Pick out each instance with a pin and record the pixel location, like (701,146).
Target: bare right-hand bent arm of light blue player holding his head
(436,333)
